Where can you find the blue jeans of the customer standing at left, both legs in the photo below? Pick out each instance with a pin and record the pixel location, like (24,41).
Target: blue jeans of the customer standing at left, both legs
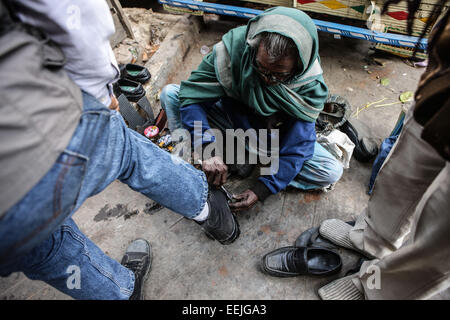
(38,236)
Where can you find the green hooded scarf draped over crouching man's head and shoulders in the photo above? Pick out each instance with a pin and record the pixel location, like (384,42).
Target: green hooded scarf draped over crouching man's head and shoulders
(227,71)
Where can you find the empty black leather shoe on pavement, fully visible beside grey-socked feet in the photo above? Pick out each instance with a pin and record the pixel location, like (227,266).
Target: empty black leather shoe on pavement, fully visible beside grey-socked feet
(294,261)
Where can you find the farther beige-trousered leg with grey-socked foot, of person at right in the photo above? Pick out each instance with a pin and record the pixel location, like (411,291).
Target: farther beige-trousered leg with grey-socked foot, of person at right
(408,171)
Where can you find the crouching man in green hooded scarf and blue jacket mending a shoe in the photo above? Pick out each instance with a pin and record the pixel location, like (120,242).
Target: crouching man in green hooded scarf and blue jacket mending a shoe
(265,75)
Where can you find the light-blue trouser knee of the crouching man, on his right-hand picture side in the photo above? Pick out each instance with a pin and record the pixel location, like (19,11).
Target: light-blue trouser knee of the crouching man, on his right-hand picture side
(320,171)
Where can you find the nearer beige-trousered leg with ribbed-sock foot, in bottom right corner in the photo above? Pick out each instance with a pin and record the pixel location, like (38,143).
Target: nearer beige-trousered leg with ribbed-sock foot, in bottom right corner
(418,270)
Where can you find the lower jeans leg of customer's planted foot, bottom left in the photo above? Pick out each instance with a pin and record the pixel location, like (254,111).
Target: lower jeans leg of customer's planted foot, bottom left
(73,264)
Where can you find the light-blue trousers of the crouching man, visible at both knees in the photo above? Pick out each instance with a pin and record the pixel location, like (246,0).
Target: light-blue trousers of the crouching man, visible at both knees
(322,170)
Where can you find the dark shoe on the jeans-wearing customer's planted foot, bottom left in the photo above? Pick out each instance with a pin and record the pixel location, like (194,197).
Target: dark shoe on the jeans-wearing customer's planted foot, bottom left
(138,258)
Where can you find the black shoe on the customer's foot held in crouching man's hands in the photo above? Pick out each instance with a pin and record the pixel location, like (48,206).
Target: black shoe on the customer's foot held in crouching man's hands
(221,224)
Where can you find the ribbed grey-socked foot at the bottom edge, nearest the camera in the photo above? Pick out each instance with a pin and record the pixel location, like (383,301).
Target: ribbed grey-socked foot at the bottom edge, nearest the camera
(342,289)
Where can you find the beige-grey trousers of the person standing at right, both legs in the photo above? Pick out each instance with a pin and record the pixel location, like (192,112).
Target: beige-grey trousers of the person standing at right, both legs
(407,223)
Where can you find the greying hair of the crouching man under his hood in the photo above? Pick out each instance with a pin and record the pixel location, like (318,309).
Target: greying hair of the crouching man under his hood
(278,46)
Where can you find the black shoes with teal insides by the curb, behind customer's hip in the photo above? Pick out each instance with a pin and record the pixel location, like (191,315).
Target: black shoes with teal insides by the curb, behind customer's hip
(132,76)
